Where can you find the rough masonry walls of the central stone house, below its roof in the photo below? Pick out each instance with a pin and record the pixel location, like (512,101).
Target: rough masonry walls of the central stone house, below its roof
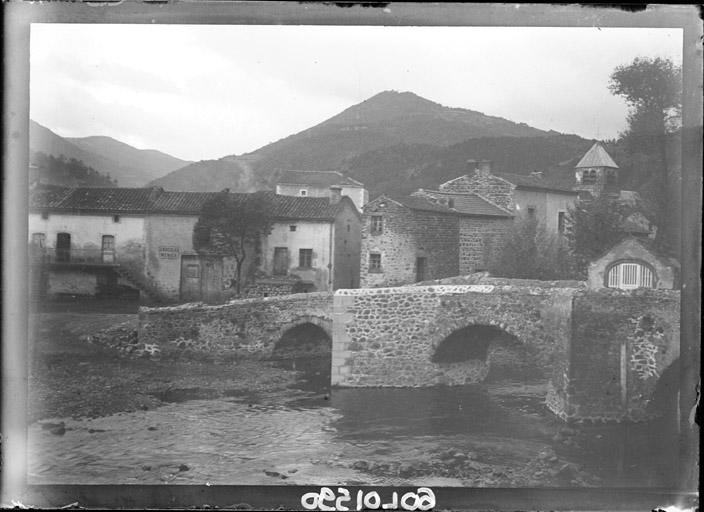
(408,234)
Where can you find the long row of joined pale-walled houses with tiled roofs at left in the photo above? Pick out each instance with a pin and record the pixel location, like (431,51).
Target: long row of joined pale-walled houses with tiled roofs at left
(89,241)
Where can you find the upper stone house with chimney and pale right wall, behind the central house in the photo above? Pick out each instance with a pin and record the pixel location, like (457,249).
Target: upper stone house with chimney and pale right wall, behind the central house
(540,196)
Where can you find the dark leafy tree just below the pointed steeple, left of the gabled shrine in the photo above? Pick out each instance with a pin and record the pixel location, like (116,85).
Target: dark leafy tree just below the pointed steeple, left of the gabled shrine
(592,227)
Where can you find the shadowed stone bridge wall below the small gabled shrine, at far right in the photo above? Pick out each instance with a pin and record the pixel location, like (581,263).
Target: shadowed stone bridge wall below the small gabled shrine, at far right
(621,343)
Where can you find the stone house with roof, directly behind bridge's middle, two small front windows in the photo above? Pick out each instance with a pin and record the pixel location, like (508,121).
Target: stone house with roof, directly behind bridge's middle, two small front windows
(428,235)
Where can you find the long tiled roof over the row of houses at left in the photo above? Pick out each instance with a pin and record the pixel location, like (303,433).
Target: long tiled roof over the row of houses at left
(156,200)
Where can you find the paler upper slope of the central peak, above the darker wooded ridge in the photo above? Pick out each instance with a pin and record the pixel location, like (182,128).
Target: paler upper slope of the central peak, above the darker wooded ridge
(388,119)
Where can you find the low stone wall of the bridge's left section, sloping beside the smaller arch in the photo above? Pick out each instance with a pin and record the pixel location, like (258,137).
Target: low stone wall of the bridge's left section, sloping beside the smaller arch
(247,328)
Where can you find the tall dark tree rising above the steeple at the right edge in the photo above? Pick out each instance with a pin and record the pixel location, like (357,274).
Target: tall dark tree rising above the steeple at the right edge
(652,87)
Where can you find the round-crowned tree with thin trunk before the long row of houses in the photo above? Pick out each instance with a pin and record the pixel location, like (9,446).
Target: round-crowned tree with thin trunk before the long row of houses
(232,225)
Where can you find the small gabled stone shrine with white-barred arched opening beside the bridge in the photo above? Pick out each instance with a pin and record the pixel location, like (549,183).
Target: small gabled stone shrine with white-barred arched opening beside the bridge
(632,263)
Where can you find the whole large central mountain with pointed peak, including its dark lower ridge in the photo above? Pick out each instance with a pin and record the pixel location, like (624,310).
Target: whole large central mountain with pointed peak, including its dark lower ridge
(390,141)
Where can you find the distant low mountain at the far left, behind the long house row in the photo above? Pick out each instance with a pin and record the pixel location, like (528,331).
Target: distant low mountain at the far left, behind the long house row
(131,167)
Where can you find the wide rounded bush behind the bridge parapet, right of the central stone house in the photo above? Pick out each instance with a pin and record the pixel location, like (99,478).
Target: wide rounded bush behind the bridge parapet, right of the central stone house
(530,252)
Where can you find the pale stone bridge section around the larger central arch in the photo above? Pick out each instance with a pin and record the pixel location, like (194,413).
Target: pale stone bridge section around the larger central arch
(387,337)
